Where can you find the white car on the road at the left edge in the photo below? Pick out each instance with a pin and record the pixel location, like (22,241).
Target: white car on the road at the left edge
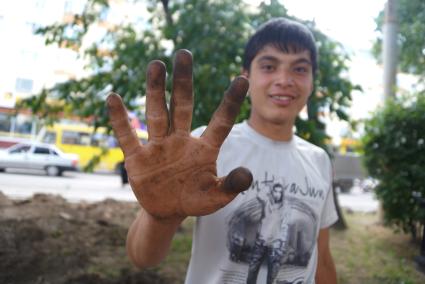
(38,156)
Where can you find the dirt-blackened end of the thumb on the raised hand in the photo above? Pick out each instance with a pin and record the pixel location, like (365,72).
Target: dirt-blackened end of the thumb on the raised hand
(237,180)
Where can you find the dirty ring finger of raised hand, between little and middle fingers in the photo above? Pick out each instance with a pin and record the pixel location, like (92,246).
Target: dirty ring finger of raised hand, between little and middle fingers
(156,107)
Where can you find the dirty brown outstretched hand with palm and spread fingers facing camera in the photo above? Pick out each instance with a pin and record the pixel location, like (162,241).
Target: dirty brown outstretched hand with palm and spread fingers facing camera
(174,175)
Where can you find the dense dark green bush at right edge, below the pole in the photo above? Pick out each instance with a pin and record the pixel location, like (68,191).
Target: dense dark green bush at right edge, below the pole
(394,153)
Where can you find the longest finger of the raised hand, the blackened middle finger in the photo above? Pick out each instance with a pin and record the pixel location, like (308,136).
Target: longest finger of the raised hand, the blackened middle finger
(181,105)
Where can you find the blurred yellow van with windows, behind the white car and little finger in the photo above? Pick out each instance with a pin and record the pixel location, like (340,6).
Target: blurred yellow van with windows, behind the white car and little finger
(89,146)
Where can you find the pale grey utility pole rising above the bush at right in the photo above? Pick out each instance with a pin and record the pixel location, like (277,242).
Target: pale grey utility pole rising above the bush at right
(390,50)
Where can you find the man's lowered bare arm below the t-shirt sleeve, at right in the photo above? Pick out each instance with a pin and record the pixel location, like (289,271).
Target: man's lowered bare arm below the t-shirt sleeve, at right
(325,273)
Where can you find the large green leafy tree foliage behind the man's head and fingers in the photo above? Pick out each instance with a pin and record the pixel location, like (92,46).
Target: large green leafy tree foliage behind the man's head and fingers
(214,31)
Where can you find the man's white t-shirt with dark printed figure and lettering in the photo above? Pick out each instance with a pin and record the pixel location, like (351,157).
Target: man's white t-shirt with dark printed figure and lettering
(273,225)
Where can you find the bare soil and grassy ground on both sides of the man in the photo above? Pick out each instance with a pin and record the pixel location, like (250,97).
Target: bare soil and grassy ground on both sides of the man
(46,239)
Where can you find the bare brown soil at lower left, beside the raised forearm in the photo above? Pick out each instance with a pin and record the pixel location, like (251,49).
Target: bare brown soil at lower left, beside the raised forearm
(46,239)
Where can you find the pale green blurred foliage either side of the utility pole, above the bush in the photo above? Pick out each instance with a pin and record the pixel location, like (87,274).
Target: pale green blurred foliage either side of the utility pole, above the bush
(411,19)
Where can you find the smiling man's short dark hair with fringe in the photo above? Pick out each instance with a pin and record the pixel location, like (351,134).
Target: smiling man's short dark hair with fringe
(284,34)
